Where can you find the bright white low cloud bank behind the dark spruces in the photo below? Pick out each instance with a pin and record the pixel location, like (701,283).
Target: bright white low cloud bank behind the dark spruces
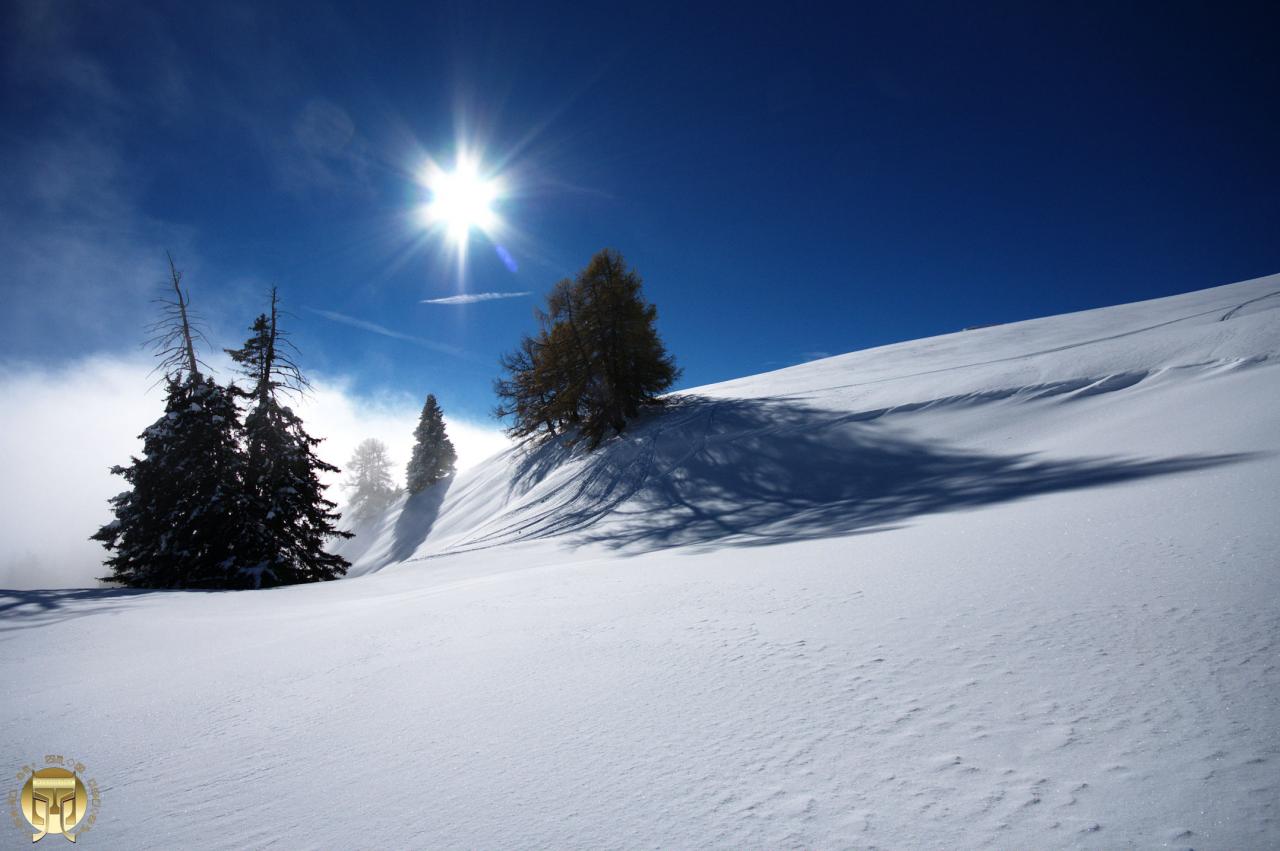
(62,429)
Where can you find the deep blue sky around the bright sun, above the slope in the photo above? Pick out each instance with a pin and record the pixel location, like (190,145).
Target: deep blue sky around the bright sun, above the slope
(789,182)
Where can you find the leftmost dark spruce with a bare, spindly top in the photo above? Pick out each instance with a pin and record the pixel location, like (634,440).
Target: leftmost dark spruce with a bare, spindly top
(181,523)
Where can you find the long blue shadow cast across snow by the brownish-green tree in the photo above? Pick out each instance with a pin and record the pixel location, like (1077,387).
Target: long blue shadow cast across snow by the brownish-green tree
(739,473)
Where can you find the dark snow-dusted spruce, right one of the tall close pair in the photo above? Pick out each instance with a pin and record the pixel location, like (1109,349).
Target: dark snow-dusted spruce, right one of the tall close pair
(291,520)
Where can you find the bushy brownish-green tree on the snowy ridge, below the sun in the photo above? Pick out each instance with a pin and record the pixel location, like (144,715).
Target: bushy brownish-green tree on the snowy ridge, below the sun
(596,360)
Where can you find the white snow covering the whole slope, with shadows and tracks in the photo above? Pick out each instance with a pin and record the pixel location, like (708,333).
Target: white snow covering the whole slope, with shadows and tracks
(1016,588)
